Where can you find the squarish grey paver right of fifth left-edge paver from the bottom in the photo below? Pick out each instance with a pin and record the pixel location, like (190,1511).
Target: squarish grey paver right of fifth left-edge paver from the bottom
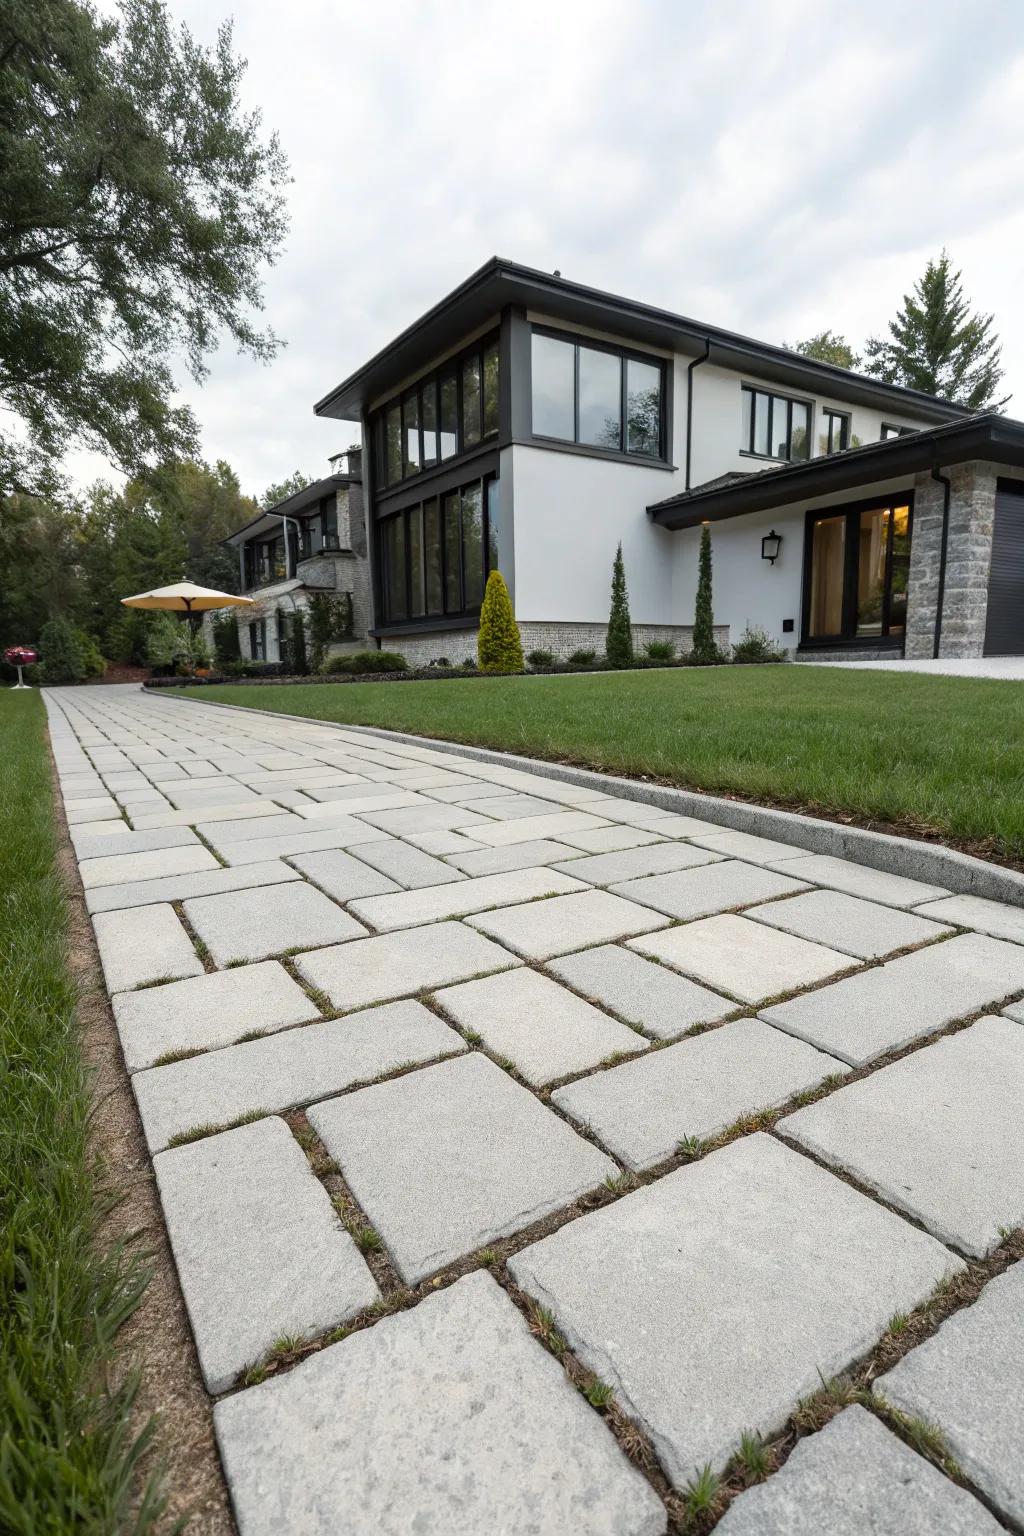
(251,925)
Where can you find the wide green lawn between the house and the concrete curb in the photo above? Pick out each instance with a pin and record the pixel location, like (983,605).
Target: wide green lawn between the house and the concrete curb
(922,755)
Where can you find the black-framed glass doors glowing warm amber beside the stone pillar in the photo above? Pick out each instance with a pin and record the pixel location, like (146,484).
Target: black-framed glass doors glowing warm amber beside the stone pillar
(857,571)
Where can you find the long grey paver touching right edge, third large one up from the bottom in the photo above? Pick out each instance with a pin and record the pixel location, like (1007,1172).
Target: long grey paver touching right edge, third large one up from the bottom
(896,1004)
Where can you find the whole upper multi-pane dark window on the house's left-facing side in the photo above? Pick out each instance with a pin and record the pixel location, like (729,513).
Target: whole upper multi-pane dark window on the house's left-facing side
(446,414)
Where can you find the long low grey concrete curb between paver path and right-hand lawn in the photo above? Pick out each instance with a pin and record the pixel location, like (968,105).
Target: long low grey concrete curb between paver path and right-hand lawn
(933,864)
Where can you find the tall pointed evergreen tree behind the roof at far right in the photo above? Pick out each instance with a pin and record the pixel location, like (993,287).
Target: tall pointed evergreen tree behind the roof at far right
(939,346)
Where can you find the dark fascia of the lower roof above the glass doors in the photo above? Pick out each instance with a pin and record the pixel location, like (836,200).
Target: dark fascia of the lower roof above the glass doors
(996,439)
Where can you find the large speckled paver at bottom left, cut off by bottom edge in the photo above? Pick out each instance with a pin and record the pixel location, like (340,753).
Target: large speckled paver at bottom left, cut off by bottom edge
(448,1420)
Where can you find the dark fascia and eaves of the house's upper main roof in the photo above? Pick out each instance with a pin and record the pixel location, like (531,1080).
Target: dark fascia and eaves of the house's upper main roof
(500,283)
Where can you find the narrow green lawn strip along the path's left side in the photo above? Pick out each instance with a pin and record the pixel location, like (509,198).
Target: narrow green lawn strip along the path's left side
(68,1454)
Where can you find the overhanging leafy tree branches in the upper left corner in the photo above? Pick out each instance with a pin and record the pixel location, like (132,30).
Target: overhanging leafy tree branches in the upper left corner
(139,207)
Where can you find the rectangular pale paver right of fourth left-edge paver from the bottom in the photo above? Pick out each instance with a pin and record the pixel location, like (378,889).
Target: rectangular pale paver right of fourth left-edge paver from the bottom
(394,965)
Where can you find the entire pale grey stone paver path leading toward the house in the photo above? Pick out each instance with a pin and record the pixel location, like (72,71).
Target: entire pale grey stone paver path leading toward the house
(527,1151)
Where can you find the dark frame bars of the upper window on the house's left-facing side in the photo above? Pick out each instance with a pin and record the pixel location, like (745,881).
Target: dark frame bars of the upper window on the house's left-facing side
(431,383)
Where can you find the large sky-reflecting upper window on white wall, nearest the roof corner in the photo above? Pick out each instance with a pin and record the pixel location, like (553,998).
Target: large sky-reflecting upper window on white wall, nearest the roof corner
(598,397)
